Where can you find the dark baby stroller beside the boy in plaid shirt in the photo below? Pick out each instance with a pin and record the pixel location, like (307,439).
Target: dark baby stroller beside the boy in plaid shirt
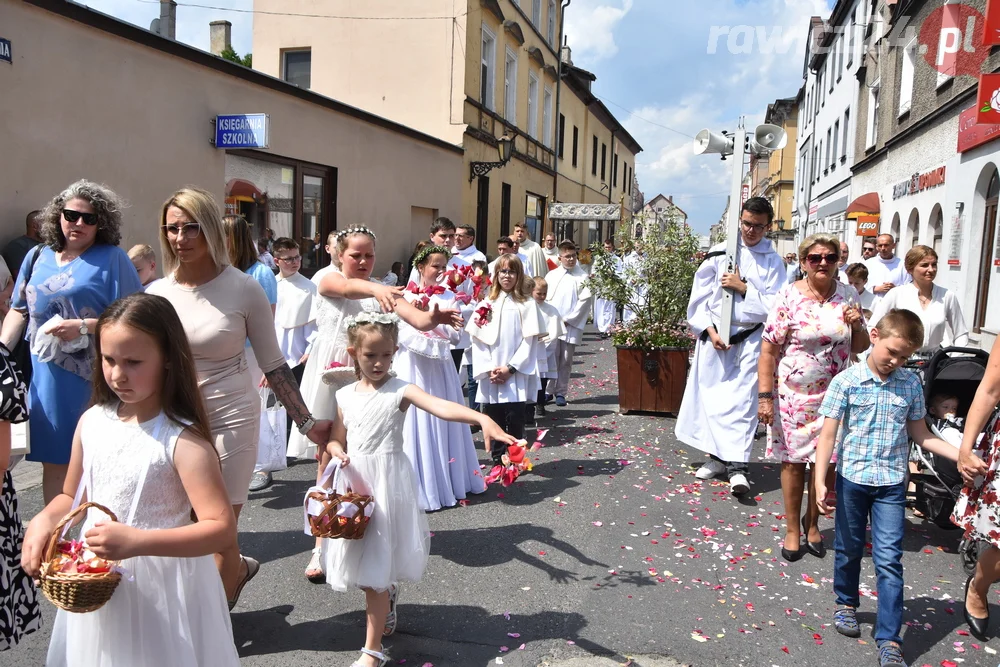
(956,371)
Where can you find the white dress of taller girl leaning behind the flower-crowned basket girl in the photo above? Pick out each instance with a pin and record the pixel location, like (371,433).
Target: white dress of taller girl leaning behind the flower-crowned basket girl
(330,346)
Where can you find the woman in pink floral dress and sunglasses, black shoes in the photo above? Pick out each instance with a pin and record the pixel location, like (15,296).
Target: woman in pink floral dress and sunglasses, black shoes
(815,325)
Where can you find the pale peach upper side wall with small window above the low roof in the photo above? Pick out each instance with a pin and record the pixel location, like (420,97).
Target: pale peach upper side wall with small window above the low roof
(400,59)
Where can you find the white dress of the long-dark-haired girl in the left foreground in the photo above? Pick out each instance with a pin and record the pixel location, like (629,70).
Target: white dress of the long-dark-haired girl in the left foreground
(172,611)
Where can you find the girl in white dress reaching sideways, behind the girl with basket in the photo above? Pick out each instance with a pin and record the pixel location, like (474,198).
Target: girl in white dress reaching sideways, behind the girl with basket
(346,291)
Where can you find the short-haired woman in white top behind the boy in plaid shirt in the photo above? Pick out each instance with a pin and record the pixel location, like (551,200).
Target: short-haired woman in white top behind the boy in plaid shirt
(936,307)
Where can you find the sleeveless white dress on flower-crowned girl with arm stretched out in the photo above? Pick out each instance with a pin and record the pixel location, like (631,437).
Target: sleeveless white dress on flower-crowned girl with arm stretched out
(397,541)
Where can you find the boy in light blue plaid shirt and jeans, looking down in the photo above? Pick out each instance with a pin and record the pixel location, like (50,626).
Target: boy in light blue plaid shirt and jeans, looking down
(881,403)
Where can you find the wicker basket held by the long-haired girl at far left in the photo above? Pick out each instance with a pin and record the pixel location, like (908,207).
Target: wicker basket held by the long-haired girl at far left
(74,591)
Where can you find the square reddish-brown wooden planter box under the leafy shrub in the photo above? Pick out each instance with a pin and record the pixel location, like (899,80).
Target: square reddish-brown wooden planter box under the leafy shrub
(651,380)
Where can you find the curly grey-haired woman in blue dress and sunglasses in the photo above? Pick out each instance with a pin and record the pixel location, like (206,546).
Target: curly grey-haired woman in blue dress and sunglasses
(75,273)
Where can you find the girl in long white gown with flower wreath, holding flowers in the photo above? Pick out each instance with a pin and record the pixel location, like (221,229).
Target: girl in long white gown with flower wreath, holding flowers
(442,453)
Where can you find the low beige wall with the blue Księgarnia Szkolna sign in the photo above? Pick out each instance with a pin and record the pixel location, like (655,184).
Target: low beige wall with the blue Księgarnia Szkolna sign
(138,118)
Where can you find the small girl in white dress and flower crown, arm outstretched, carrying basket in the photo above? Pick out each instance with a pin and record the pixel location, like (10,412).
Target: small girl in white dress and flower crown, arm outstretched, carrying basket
(367,441)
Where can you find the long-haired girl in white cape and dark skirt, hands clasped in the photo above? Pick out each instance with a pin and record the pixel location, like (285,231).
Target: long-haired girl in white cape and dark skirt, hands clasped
(506,352)
